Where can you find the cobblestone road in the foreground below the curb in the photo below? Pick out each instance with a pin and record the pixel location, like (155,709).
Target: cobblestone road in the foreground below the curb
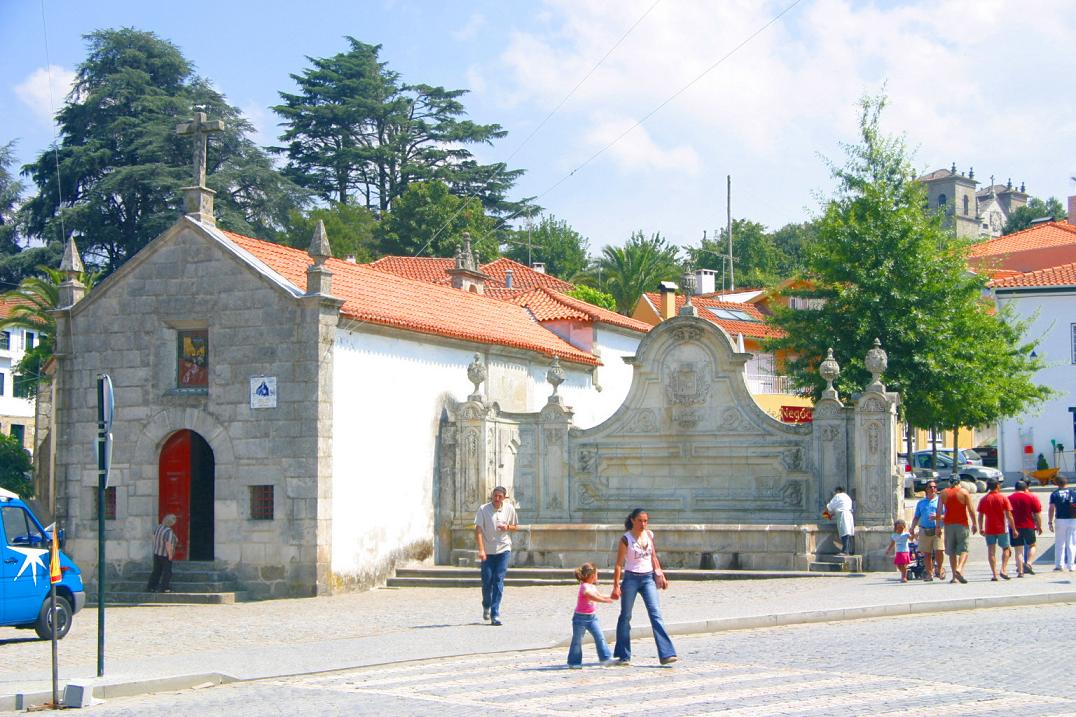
(1001,663)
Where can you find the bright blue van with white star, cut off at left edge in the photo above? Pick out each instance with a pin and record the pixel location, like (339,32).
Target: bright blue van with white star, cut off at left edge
(24,574)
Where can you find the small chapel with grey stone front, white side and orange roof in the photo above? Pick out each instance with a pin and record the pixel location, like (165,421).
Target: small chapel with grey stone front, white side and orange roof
(287,406)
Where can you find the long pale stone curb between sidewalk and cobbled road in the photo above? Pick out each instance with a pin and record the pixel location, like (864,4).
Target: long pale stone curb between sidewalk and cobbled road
(82,692)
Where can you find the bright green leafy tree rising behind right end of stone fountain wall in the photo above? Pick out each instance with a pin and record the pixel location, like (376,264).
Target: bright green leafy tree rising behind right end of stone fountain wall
(887,270)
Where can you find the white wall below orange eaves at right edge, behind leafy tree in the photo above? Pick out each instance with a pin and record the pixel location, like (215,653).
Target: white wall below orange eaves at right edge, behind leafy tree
(1053,318)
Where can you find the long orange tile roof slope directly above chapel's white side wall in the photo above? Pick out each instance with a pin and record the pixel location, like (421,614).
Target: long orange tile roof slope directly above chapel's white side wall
(385,299)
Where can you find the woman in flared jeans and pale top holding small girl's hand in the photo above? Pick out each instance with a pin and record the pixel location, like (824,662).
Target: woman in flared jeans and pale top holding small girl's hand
(640,572)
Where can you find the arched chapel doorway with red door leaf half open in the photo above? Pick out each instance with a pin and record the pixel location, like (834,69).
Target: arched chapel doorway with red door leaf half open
(187,489)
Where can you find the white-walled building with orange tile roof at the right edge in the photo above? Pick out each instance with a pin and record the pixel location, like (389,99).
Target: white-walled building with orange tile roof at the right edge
(1046,300)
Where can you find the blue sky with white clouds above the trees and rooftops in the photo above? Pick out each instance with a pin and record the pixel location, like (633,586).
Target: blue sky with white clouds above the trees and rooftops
(721,89)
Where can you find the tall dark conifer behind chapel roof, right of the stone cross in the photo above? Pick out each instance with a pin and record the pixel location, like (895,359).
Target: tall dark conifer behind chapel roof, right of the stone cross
(357,131)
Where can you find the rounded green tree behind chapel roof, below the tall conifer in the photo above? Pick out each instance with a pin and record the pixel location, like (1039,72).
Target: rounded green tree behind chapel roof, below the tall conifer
(429,220)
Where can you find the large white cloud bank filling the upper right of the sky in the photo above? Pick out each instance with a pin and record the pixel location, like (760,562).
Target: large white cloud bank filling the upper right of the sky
(978,83)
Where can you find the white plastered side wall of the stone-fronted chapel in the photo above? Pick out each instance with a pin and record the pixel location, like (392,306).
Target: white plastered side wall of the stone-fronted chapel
(388,396)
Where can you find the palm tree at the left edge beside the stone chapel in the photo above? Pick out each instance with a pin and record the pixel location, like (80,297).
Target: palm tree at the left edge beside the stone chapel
(33,304)
